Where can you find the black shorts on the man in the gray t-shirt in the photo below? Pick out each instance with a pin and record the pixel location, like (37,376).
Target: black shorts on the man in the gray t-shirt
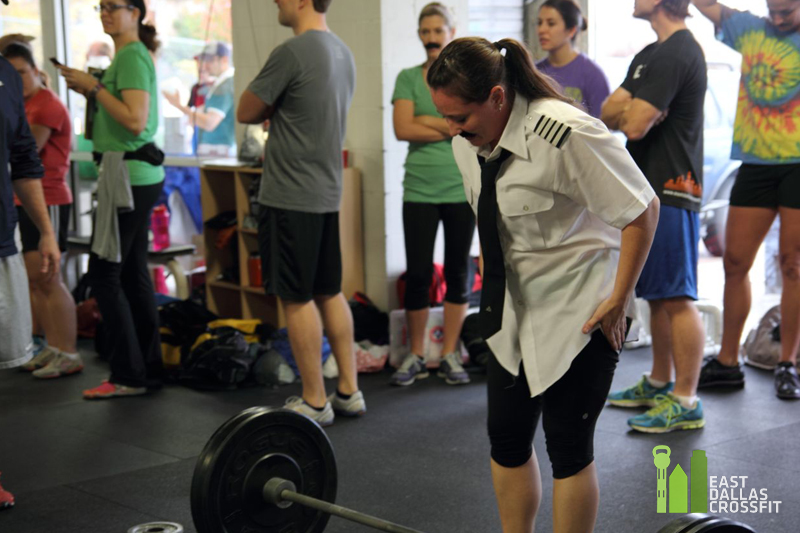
(300,254)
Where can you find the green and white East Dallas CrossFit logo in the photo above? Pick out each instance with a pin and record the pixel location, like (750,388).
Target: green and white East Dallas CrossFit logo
(715,494)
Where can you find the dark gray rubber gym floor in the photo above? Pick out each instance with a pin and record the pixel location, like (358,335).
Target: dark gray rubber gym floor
(419,457)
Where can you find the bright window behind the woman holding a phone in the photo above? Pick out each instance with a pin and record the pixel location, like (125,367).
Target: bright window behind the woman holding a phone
(184,27)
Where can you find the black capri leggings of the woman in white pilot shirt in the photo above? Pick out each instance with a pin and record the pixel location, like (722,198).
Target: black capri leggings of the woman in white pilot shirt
(570,406)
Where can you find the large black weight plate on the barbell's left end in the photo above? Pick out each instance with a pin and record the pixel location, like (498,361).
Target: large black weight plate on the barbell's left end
(243,454)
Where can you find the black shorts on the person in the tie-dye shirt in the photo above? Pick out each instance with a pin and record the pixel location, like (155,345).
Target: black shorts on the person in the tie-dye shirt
(770,186)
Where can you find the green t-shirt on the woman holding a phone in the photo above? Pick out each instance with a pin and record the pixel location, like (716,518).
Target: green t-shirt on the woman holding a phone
(132,68)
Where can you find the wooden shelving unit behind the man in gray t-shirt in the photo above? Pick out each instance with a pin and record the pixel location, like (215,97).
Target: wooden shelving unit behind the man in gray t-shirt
(225,188)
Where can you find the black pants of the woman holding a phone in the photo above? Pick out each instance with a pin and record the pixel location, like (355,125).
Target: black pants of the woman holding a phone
(126,298)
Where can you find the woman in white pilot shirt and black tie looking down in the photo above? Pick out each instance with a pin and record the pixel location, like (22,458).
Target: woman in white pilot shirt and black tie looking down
(573,222)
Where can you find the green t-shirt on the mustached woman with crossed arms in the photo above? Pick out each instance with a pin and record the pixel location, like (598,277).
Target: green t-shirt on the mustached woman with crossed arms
(431,172)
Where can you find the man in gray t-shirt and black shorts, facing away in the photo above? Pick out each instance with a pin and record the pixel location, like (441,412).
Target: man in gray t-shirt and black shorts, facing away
(305,90)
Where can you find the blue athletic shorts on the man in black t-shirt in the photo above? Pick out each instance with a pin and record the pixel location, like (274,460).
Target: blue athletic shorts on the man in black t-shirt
(671,267)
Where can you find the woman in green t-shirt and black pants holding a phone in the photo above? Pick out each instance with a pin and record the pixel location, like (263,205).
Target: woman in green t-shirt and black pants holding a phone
(125,124)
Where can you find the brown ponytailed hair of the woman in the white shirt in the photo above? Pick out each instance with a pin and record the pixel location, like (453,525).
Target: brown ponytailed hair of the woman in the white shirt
(470,67)
